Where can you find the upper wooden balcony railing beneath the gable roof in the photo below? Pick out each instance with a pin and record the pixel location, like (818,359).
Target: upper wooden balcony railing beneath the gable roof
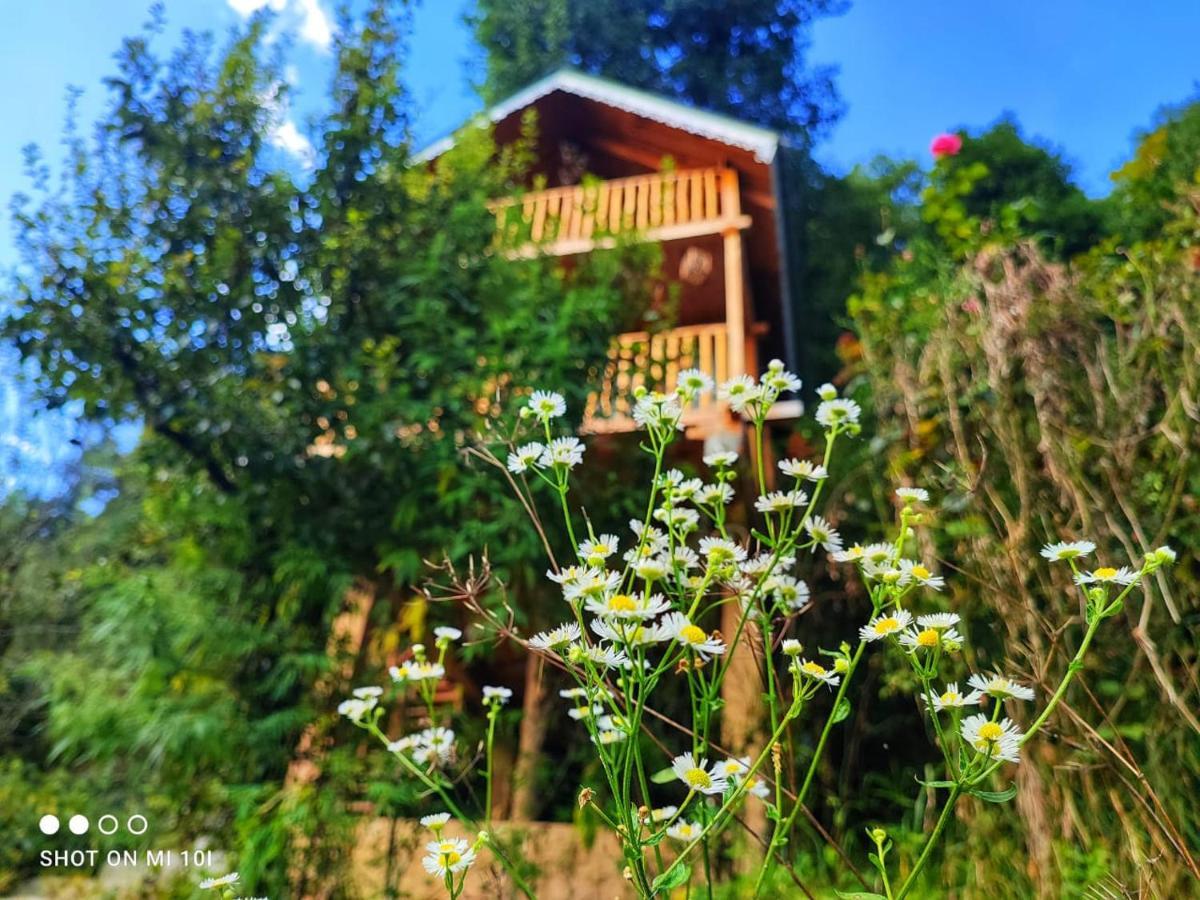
(664,206)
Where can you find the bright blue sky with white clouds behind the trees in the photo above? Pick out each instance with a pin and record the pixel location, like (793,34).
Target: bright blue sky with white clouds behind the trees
(1083,77)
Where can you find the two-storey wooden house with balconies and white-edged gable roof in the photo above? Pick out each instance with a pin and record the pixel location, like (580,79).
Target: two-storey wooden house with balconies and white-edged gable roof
(615,164)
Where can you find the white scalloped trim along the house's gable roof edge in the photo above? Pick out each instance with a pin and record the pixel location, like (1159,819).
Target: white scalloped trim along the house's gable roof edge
(761,142)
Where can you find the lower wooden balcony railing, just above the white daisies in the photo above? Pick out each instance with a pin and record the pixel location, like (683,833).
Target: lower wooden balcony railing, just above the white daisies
(655,361)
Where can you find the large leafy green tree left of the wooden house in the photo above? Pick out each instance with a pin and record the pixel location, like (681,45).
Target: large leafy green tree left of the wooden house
(311,355)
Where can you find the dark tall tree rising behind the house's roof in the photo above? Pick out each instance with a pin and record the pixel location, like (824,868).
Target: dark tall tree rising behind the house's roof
(742,58)
